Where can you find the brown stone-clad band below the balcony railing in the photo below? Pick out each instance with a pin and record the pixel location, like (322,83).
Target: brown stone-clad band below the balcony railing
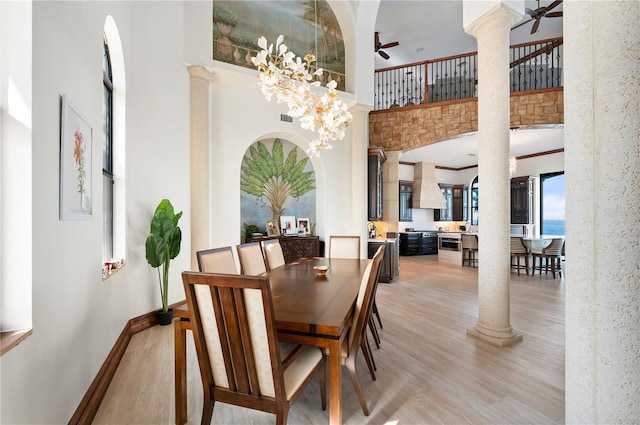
(402,129)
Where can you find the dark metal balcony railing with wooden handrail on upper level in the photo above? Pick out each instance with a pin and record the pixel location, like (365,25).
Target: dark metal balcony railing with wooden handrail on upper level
(533,66)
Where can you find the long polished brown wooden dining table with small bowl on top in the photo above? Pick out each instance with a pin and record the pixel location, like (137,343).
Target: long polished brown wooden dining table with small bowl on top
(310,309)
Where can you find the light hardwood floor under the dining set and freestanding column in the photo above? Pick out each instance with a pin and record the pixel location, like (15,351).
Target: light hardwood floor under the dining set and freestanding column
(429,371)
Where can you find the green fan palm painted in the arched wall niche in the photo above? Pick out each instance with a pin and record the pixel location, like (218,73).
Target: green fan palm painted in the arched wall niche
(270,175)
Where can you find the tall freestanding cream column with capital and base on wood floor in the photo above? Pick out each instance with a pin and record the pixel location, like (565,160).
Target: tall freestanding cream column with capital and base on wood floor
(491,29)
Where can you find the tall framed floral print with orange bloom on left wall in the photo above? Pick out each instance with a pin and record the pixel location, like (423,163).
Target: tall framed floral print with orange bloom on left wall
(75,164)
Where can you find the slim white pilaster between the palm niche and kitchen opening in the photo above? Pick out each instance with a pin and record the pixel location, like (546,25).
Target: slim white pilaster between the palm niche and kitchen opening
(359,143)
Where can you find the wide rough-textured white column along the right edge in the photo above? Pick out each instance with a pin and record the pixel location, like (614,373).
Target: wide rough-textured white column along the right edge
(602,166)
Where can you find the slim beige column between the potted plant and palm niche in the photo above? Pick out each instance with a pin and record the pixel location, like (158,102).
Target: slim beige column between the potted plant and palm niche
(201,79)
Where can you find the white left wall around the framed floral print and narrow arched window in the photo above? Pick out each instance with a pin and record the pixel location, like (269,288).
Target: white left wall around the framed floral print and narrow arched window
(76,316)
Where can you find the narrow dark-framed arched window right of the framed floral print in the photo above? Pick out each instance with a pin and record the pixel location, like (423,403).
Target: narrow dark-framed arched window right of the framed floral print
(107,153)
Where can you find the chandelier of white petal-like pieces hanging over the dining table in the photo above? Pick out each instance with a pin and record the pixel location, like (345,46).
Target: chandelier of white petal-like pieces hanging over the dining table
(288,78)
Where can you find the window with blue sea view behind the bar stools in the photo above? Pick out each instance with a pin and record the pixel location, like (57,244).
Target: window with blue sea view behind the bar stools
(552,199)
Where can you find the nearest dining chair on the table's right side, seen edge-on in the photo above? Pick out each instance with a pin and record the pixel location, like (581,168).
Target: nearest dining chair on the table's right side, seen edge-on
(356,339)
